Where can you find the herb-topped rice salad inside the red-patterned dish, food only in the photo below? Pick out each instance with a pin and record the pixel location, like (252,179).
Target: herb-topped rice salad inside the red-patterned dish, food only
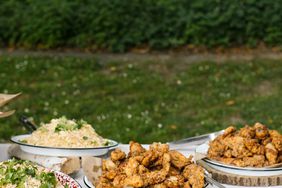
(24,174)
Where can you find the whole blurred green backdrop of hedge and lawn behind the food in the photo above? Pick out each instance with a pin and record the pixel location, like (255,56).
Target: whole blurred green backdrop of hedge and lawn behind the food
(139,98)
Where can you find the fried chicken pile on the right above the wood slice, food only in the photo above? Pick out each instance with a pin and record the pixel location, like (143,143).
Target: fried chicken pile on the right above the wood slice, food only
(255,146)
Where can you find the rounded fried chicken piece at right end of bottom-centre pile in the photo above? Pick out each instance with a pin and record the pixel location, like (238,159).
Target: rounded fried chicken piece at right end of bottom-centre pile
(195,175)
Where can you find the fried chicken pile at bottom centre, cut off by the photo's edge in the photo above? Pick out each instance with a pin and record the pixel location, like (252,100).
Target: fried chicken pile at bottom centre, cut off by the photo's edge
(157,167)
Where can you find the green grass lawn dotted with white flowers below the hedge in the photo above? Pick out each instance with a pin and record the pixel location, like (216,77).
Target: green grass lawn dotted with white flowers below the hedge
(143,101)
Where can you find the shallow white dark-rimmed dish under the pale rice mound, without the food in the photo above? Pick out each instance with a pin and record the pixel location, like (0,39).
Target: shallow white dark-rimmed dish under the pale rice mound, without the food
(53,151)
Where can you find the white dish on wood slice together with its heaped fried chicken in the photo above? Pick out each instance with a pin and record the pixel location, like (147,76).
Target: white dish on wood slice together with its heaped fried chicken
(251,151)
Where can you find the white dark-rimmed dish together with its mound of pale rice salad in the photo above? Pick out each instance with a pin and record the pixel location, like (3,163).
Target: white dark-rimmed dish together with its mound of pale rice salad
(64,137)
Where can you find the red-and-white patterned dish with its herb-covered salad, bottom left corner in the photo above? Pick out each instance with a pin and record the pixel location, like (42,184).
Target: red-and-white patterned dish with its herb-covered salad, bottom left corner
(23,173)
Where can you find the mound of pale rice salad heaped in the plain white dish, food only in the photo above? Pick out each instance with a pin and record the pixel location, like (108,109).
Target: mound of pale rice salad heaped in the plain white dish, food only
(65,133)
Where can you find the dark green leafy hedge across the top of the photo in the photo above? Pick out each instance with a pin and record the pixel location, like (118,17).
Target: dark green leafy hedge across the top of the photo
(117,26)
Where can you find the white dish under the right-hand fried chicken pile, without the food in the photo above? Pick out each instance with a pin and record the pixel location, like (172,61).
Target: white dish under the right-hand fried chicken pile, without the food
(246,171)
